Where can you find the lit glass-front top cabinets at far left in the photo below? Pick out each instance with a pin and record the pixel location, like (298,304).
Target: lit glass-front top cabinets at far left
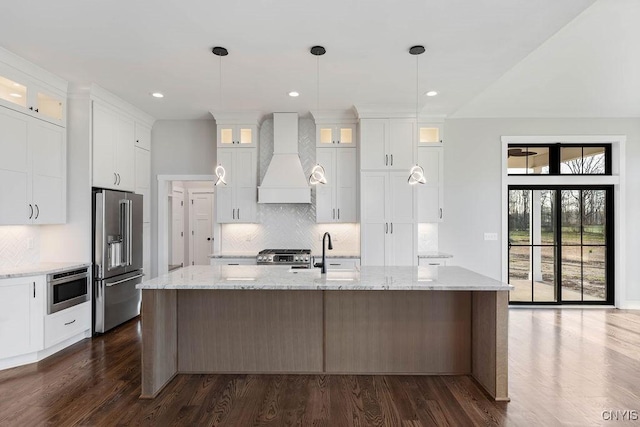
(24,94)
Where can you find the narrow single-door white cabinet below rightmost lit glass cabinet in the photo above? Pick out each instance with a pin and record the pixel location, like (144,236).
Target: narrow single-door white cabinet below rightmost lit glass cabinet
(430,197)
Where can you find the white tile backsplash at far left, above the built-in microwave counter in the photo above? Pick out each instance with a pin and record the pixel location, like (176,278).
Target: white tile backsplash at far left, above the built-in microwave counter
(14,245)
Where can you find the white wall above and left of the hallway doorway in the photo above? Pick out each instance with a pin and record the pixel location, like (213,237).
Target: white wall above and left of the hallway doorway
(178,147)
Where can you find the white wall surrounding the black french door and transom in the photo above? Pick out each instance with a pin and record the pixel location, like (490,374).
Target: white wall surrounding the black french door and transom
(472,181)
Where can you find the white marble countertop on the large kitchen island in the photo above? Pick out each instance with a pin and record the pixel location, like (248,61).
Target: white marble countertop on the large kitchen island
(284,278)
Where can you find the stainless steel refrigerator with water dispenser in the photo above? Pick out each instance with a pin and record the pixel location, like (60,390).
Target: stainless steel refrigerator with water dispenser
(117,255)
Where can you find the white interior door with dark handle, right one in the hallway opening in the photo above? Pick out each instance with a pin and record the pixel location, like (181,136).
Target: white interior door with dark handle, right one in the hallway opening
(201,225)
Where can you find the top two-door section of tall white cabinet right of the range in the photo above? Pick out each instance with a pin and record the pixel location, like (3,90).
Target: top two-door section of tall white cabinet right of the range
(387,144)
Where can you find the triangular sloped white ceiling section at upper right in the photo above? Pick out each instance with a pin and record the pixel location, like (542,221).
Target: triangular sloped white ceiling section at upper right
(590,68)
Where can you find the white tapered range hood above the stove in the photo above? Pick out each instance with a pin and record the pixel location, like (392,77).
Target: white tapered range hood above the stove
(285,180)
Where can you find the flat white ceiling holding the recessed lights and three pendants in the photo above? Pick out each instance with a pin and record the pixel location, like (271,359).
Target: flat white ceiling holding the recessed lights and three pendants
(133,48)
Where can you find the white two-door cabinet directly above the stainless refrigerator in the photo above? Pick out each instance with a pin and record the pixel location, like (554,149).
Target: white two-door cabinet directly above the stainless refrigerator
(113,149)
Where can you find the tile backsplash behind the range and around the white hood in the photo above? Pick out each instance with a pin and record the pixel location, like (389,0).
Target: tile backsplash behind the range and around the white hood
(288,225)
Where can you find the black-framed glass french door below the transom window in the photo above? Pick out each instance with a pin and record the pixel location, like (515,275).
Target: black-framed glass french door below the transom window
(561,244)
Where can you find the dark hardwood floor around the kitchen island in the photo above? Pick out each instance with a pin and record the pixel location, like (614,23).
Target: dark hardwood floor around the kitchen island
(565,368)
